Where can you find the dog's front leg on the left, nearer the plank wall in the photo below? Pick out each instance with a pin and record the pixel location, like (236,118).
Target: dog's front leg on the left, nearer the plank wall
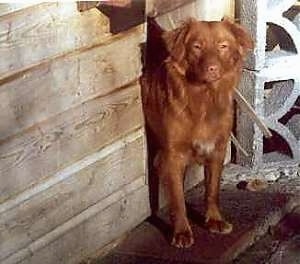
(171,170)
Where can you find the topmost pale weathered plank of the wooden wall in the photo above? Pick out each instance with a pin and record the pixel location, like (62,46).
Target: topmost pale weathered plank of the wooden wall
(46,30)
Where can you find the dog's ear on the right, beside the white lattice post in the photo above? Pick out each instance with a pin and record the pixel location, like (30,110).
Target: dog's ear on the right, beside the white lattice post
(242,36)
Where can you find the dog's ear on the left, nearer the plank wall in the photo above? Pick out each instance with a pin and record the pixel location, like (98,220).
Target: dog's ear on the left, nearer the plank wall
(175,41)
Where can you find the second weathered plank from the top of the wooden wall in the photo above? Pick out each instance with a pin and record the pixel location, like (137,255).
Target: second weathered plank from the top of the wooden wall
(66,82)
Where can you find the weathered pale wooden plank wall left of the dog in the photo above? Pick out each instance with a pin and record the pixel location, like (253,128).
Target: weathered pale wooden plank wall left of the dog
(72,145)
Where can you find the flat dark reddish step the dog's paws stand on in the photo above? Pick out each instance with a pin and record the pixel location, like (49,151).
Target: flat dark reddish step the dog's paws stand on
(252,214)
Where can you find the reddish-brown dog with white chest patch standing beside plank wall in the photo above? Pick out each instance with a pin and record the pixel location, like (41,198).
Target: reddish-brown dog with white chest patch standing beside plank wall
(189,109)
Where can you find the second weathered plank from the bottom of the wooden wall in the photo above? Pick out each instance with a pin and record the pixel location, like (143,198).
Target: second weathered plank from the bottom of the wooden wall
(51,208)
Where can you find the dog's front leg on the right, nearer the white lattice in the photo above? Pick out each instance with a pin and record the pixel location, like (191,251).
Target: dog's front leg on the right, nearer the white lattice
(214,220)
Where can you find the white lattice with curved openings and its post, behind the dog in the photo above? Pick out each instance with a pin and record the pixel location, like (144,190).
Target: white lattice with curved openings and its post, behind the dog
(271,80)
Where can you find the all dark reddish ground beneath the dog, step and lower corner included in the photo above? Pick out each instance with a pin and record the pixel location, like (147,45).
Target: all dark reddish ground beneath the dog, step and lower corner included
(258,235)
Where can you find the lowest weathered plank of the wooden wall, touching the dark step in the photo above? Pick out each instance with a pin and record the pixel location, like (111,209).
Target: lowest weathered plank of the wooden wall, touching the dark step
(92,229)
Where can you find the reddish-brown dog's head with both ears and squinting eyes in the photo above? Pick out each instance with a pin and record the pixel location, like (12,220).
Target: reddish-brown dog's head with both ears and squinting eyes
(206,51)
